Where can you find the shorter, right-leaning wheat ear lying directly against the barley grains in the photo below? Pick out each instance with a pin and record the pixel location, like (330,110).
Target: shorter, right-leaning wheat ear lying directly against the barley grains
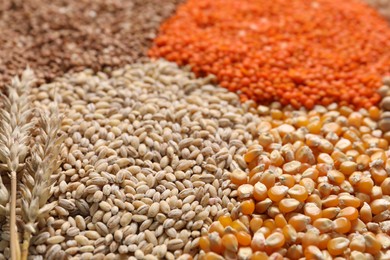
(38,182)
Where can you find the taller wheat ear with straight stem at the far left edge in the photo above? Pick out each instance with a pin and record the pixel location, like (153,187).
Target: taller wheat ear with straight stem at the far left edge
(15,126)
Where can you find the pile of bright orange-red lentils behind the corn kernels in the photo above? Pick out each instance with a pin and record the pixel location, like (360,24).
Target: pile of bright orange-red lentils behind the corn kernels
(296,52)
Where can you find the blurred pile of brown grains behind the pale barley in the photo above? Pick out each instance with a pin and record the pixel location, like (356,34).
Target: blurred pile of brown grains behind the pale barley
(53,37)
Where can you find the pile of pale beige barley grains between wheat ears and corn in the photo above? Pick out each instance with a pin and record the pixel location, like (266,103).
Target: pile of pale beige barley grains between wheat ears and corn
(146,162)
